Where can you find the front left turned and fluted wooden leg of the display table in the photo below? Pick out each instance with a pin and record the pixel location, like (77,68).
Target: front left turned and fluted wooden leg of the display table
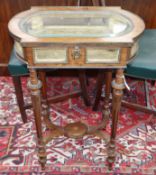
(34,84)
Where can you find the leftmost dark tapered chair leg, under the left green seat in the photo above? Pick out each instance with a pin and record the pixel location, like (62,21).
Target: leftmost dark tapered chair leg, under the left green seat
(19,96)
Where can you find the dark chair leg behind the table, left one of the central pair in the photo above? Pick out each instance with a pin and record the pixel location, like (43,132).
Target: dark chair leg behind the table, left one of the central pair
(83,84)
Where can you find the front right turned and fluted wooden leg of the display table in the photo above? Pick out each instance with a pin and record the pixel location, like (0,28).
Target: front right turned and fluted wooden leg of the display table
(118,86)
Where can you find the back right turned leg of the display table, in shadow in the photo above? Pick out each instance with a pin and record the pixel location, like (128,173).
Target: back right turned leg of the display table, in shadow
(106,111)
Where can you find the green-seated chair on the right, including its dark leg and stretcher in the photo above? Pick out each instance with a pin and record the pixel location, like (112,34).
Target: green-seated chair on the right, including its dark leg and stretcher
(142,67)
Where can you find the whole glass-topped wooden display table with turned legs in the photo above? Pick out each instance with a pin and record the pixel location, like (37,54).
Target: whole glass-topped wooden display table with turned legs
(79,38)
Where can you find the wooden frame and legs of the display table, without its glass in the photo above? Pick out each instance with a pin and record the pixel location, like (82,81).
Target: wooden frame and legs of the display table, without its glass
(125,43)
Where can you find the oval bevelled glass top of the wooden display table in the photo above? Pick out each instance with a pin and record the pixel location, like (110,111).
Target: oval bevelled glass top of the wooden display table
(76,24)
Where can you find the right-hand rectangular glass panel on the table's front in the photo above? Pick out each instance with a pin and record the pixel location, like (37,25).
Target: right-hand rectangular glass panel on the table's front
(97,55)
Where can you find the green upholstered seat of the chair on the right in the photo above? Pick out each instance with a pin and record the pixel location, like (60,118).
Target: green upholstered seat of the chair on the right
(144,64)
